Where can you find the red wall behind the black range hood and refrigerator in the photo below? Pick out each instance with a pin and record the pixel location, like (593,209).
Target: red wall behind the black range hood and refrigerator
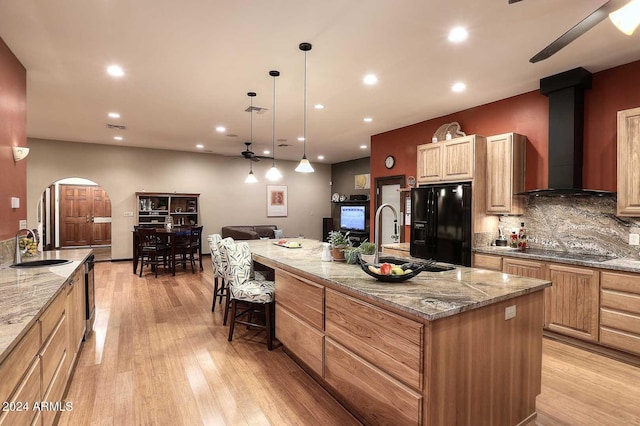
(613,90)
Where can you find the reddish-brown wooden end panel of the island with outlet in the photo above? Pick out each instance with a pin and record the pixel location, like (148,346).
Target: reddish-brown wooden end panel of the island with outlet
(484,369)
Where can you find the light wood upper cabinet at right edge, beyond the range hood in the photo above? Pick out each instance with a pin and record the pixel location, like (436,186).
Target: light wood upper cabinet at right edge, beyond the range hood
(629,162)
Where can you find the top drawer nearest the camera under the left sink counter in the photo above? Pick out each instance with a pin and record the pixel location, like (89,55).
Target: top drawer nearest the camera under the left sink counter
(18,361)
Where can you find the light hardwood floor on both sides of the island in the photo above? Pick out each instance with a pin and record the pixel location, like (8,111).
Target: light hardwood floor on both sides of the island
(158,356)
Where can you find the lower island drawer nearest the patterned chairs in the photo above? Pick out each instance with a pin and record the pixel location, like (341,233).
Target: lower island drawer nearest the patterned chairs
(300,338)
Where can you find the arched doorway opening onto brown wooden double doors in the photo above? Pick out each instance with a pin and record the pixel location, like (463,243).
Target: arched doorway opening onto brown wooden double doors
(73,213)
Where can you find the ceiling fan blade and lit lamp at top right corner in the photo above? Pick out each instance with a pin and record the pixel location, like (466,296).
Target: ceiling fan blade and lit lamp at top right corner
(613,8)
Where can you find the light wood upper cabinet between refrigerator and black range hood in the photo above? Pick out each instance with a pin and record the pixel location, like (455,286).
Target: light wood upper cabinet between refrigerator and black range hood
(505,173)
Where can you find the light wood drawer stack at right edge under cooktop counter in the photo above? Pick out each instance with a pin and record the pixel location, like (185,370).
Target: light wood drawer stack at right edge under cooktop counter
(620,311)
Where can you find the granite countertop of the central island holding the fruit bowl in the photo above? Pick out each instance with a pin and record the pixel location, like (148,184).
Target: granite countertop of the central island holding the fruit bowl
(429,295)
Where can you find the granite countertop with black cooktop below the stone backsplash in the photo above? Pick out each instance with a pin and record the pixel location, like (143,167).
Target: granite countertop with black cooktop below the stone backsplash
(591,261)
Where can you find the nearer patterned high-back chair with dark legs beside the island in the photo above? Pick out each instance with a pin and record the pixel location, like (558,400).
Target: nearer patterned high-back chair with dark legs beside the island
(250,294)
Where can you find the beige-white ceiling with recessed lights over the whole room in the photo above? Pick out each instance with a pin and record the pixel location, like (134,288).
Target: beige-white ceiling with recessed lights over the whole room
(189,65)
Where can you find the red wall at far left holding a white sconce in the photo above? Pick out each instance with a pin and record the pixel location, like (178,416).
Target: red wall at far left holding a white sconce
(13,132)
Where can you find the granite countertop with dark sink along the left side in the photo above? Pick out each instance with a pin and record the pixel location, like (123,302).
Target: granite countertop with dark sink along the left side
(25,293)
